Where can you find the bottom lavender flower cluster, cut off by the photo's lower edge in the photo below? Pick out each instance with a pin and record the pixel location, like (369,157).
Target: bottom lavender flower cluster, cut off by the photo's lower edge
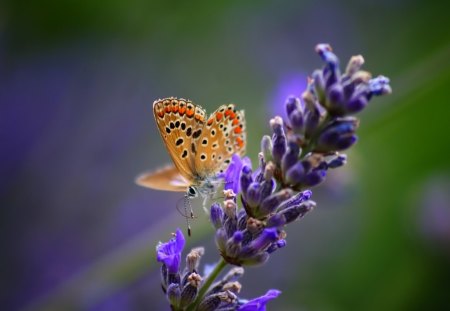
(184,289)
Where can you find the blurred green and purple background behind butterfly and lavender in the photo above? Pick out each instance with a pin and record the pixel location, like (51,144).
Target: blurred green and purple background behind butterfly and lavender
(77,79)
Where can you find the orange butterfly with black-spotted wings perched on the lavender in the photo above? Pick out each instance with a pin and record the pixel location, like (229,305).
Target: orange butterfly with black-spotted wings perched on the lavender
(200,147)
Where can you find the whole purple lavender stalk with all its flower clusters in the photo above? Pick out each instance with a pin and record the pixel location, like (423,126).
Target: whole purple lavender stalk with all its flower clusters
(295,158)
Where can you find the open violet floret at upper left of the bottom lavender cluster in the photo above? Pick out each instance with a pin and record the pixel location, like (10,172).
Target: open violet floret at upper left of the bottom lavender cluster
(170,253)
